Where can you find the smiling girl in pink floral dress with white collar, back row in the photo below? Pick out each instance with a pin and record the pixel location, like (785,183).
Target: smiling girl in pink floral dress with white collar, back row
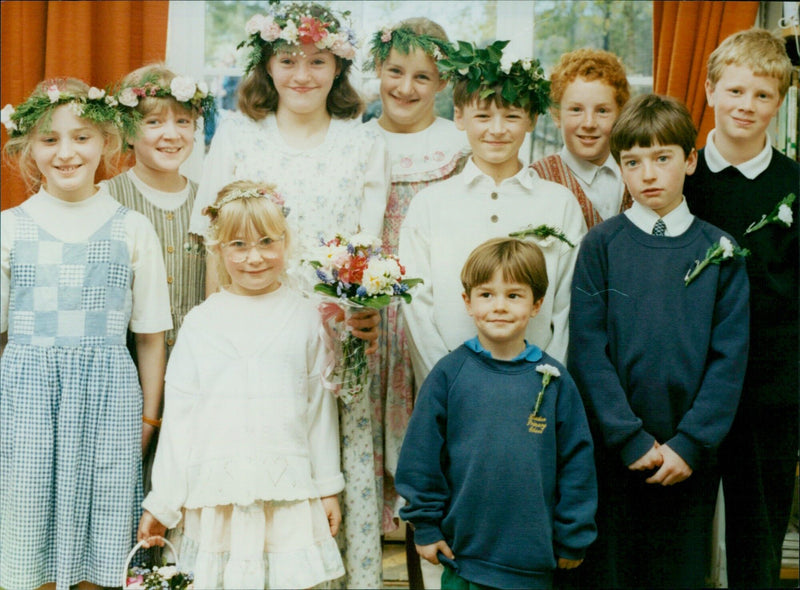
(423,149)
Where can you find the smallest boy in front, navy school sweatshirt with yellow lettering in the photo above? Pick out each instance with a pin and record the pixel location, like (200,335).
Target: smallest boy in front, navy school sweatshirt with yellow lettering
(497,464)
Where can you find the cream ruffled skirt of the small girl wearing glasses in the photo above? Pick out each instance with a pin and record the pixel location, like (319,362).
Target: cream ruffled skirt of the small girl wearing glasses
(263,545)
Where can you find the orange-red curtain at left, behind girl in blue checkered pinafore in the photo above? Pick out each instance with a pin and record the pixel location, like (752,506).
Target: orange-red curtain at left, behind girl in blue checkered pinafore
(96,41)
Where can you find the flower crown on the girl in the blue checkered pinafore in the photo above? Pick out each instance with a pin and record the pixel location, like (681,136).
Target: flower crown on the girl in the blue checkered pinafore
(97,106)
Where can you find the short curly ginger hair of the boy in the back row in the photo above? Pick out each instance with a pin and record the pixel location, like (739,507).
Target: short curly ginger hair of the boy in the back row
(591,64)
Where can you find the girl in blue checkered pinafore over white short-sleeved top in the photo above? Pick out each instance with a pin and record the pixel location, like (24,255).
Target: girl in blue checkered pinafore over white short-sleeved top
(77,270)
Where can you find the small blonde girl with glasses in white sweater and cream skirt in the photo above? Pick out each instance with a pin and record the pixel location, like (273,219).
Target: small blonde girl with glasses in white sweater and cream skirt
(247,469)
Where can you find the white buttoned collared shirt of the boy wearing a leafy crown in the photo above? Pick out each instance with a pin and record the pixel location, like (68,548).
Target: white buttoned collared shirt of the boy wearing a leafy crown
(447,220)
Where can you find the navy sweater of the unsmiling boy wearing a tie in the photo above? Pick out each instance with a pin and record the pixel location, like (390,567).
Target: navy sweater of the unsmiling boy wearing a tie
(655,359)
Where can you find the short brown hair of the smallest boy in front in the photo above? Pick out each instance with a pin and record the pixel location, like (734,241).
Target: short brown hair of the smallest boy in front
(520,261)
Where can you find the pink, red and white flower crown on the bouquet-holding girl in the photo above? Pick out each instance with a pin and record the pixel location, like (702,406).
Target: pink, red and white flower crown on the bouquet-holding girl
(295,26)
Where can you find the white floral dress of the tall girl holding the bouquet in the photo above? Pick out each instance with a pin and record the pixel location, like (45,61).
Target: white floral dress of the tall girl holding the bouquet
(340,186)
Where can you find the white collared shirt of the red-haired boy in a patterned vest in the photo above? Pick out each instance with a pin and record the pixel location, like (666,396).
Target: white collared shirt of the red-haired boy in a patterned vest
(603,184)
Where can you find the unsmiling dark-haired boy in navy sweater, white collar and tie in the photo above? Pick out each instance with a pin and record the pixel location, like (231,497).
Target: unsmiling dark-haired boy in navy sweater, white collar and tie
(658,348)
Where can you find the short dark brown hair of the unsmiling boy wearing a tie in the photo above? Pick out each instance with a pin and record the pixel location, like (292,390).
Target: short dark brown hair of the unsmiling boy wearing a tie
(651,119)
